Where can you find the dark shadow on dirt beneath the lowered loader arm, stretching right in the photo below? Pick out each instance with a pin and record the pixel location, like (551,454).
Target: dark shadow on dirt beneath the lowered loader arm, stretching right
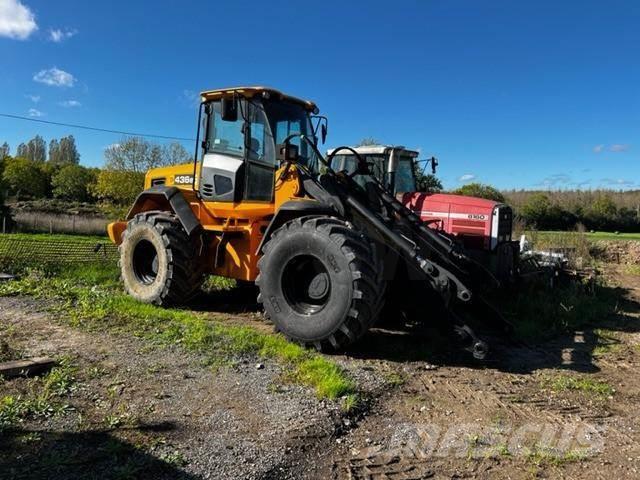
(430,342)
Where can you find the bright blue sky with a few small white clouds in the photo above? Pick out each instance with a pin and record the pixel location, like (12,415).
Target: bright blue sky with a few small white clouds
(527,94)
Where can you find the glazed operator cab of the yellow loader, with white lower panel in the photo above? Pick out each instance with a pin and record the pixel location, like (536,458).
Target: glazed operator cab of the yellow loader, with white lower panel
(239,146)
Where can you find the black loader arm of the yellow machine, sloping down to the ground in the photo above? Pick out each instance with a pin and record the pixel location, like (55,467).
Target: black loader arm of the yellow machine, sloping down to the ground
(437,258)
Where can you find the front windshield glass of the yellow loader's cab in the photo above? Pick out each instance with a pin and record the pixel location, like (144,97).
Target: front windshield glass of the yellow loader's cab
(287,118)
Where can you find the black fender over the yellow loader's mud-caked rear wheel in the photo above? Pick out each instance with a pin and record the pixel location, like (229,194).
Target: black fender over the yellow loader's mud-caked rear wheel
(166,198)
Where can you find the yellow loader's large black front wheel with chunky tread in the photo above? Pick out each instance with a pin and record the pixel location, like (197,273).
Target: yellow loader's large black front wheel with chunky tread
(318,282)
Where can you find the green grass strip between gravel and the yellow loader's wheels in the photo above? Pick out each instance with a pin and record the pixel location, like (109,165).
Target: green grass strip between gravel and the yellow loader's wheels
(90,297)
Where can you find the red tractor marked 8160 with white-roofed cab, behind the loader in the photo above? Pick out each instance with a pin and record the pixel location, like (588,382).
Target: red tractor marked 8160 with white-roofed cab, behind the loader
(482,226)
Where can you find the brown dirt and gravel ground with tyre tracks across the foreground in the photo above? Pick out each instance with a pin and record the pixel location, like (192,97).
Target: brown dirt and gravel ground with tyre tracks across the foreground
(564,409)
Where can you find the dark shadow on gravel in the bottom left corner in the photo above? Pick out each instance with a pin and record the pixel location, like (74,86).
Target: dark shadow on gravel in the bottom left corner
(40,454)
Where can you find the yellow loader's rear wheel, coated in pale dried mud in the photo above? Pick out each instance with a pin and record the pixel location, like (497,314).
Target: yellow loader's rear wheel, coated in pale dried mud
(158,260)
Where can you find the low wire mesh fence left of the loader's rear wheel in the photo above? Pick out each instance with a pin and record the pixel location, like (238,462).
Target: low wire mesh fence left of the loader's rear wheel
(34,250)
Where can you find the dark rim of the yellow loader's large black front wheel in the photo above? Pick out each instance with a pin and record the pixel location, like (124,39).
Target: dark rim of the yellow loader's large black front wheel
(306,284)
